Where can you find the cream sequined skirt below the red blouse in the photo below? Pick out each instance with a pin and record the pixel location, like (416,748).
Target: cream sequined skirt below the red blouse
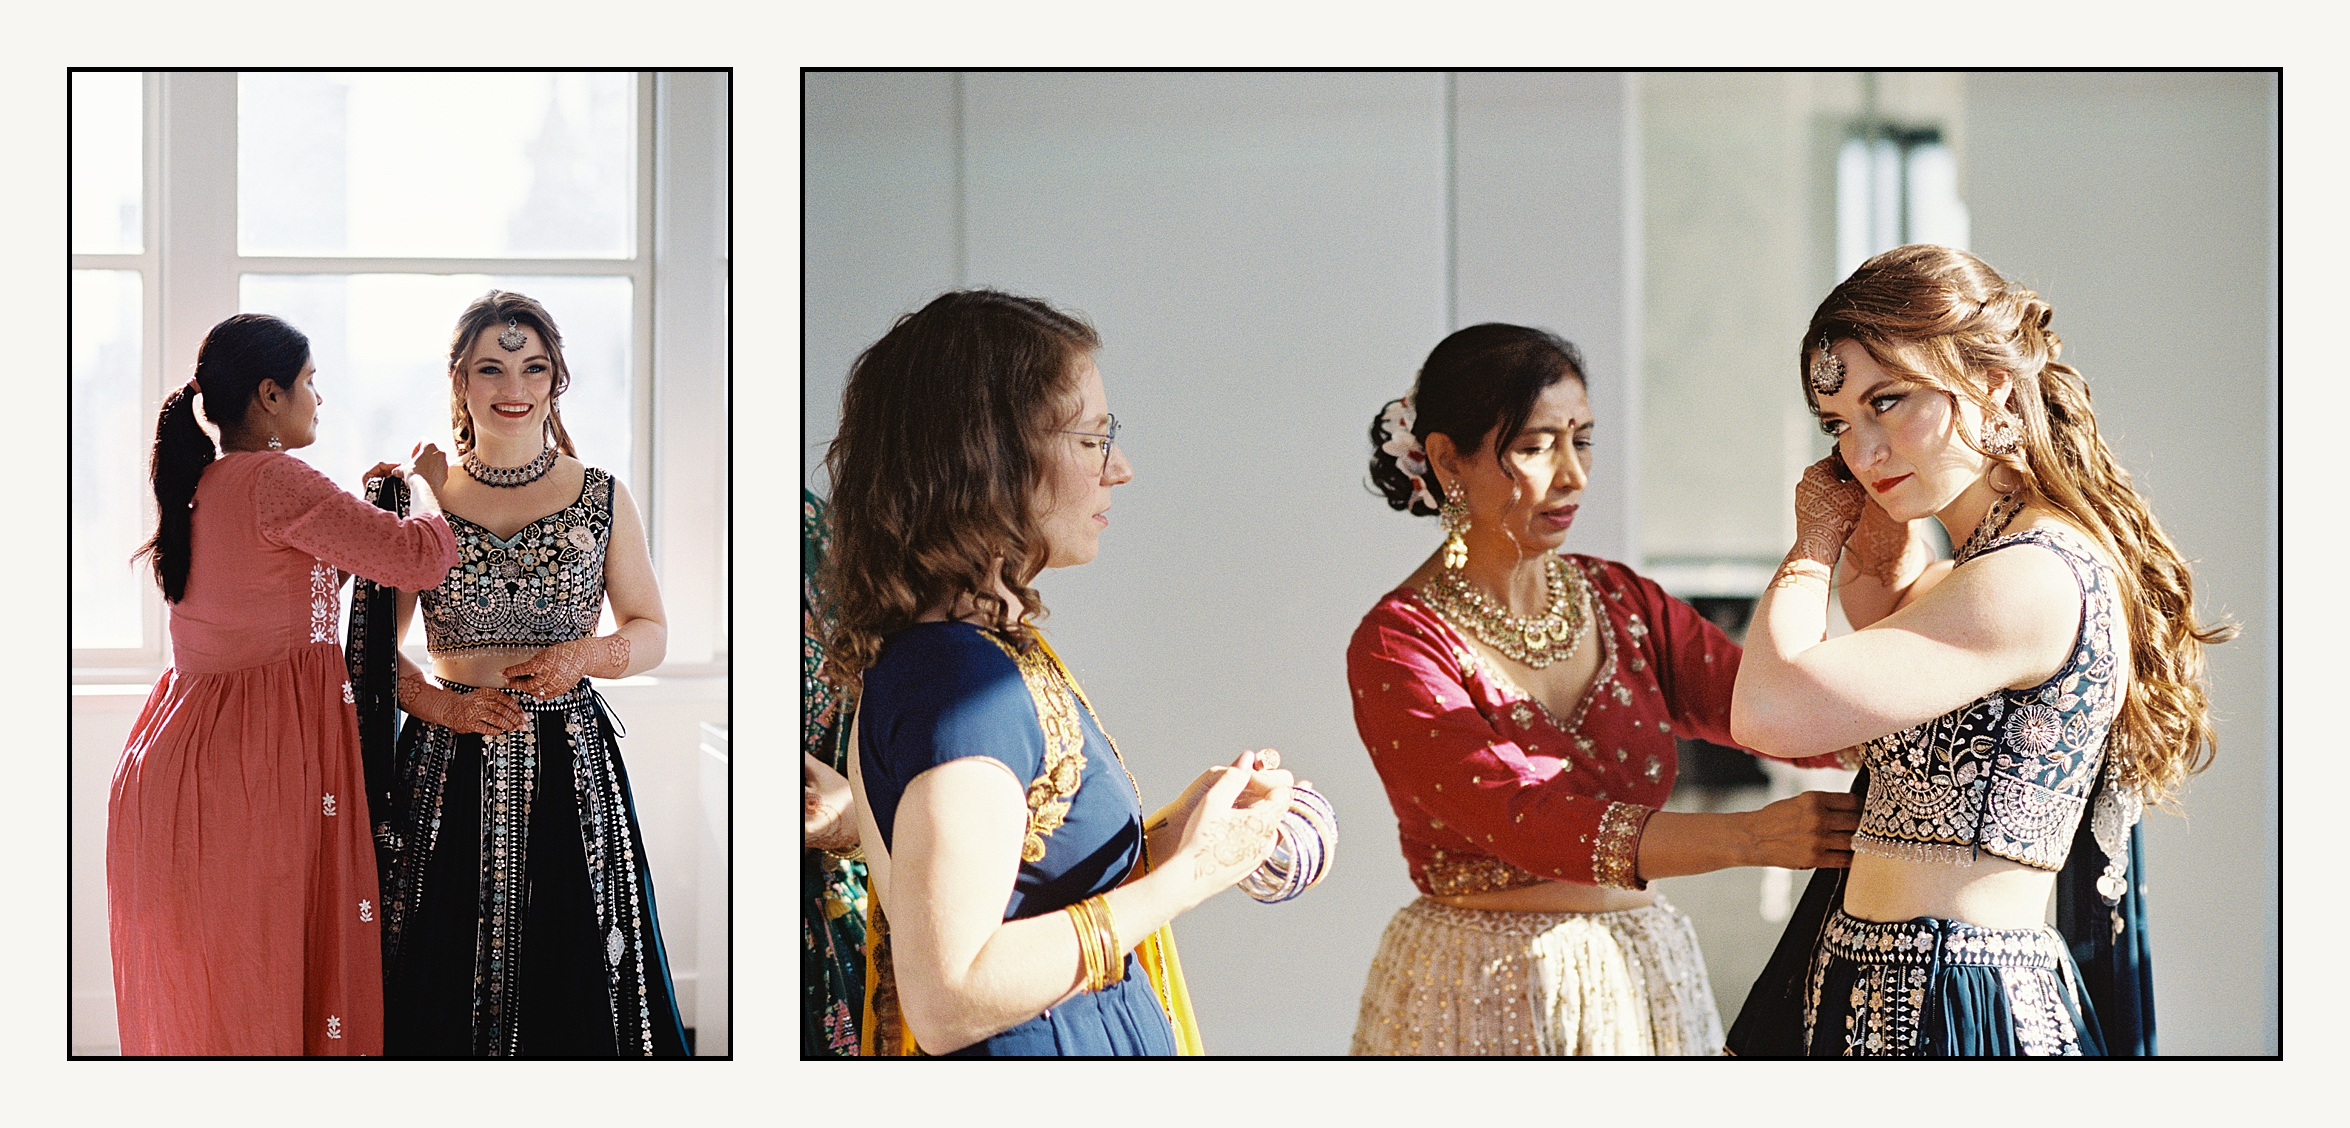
(1482,983)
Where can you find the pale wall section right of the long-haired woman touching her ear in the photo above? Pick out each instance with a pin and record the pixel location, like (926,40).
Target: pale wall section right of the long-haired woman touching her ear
(2144,210)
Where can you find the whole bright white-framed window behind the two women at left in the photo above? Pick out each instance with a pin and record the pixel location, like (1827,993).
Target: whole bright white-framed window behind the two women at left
(368,210)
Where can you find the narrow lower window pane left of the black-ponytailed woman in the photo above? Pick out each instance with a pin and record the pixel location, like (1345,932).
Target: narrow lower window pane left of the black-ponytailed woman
(112,436)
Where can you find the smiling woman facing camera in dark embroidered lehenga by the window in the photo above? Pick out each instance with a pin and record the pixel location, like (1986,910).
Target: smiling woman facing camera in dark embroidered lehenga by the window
(518,899)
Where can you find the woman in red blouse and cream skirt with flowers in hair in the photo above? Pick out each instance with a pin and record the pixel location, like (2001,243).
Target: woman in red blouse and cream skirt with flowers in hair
(1522,711)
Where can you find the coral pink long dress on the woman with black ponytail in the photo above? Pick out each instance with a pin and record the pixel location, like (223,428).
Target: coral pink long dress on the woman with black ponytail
(241,875)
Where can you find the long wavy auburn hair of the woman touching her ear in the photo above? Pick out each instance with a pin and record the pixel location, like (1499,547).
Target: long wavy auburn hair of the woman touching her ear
(1945,318)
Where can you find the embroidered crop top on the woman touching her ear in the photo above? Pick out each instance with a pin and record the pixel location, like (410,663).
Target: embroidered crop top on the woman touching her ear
(2010,772)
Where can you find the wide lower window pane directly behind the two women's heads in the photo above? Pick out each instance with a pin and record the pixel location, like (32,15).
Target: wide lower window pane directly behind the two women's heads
(382,351)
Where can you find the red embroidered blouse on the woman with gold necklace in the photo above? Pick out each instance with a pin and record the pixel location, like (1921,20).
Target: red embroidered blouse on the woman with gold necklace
(1493,791)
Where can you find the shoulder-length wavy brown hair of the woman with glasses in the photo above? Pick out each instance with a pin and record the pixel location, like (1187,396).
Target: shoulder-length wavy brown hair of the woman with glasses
(939,464)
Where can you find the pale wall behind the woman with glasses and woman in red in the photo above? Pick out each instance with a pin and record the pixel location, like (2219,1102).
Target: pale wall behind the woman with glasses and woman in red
(1268,260)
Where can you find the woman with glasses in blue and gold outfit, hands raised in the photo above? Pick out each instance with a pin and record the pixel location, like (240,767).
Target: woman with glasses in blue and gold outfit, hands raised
(1021,899)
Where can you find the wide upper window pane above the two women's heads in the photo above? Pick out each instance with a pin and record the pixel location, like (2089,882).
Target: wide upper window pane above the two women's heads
(438,166)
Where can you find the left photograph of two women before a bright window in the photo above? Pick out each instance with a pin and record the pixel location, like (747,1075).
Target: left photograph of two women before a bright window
(401,612)
